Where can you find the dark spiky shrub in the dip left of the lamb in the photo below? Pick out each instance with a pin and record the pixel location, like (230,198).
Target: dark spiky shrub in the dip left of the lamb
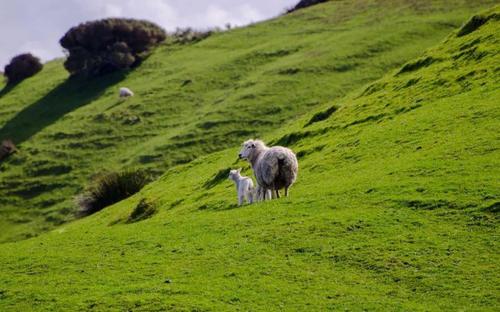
(110,188)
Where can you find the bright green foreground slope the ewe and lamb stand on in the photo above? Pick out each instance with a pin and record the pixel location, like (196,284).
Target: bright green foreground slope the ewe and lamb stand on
(396,208)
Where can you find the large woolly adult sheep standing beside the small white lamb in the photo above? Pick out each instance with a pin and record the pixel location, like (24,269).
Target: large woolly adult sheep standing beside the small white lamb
(274,167)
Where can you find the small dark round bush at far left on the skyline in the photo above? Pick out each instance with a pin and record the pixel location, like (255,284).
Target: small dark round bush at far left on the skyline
(21,67)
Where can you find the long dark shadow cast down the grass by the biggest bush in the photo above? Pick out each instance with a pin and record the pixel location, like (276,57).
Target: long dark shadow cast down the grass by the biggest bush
(72,94)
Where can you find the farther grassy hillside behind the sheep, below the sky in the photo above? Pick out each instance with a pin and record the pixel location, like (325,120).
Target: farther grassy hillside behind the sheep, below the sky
(242,83)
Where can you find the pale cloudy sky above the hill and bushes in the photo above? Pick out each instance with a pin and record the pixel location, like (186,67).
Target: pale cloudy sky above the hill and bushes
(37,25)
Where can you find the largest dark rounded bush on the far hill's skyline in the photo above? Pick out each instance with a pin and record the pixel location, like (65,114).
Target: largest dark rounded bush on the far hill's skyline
(108,45)
